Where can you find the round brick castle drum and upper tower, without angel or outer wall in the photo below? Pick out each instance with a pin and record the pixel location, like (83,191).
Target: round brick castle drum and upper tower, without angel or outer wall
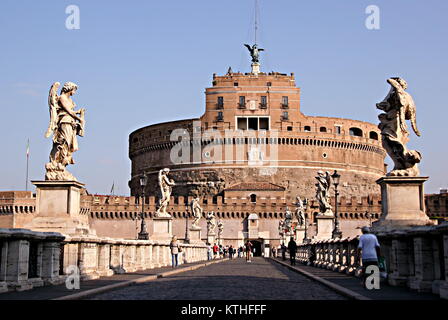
(253,131)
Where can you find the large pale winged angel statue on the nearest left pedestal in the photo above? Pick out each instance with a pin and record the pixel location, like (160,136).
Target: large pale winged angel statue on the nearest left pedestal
(65,125)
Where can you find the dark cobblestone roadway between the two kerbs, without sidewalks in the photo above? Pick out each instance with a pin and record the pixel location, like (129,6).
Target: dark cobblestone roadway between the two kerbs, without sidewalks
(228,280)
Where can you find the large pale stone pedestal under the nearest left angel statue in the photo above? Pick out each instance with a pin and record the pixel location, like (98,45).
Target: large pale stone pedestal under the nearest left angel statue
(58,208)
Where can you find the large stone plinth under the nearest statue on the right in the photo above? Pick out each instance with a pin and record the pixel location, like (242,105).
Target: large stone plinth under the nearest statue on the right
(403,203)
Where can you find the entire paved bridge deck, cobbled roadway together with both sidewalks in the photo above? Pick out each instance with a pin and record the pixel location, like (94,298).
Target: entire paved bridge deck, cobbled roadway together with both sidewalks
(261,279)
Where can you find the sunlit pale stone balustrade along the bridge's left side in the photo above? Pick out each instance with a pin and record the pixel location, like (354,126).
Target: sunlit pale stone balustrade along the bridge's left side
(31,259)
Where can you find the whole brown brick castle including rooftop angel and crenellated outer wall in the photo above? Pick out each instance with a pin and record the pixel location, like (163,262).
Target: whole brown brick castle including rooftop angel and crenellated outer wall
(248,157)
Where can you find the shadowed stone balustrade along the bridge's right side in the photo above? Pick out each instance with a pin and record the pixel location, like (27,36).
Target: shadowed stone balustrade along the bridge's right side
(416,257)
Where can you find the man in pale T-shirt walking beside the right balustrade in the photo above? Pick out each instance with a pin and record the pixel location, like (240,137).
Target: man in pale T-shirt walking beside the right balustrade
(369,250)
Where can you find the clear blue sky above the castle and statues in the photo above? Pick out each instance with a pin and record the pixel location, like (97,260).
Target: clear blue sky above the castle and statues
(144,62)
